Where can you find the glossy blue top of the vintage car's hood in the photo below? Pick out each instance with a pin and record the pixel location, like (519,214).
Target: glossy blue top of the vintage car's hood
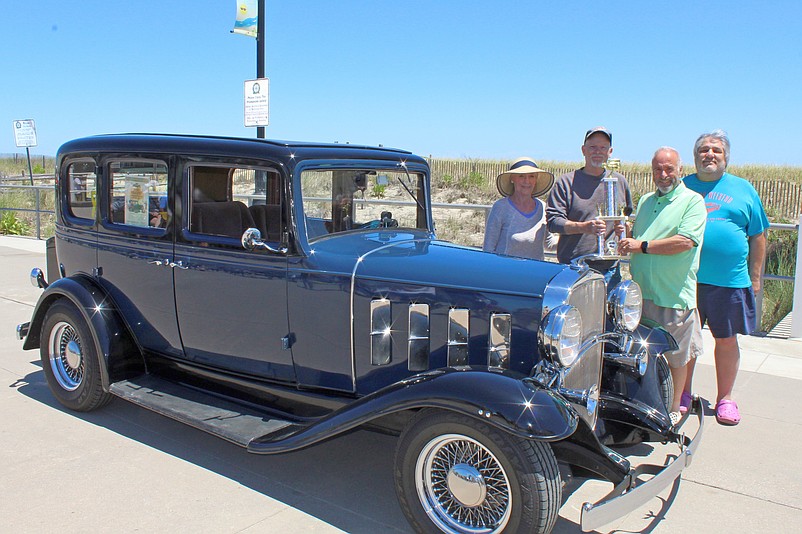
(412,257)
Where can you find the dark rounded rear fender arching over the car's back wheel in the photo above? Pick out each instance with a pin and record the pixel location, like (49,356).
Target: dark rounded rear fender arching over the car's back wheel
(114,344)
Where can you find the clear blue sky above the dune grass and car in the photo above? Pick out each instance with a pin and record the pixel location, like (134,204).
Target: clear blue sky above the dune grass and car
(477,79)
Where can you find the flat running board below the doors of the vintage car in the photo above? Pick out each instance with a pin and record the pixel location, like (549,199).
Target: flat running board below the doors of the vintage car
(222,418)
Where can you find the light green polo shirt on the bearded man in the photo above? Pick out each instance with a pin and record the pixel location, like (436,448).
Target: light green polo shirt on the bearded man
(669,280)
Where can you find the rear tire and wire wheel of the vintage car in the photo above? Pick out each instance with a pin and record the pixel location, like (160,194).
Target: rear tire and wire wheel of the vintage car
(70,360)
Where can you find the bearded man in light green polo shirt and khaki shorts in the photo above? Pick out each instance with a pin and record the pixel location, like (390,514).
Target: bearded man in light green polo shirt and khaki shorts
(665,243)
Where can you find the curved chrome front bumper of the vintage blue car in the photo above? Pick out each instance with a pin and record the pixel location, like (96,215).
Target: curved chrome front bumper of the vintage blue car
(629,494)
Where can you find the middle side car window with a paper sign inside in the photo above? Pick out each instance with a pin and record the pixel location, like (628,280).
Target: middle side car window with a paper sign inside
(138,195)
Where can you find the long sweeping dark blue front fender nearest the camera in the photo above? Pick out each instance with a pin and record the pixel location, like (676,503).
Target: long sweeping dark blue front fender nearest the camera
(500,398)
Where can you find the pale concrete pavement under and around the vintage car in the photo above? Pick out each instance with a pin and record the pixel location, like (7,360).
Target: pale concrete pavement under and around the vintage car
(125,469)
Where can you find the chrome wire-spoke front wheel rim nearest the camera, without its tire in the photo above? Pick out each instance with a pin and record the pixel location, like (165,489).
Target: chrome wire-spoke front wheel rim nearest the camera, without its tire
(462,486)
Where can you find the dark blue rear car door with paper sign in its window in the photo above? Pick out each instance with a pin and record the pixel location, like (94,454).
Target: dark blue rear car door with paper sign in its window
(135,248)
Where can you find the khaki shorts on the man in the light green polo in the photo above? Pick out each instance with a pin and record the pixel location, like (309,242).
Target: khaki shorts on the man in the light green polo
(684,325)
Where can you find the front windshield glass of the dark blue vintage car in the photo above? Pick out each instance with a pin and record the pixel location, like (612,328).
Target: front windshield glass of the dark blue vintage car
(346,200)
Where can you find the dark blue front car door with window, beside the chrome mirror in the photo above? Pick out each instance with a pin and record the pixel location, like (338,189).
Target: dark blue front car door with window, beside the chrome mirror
(231,303)
